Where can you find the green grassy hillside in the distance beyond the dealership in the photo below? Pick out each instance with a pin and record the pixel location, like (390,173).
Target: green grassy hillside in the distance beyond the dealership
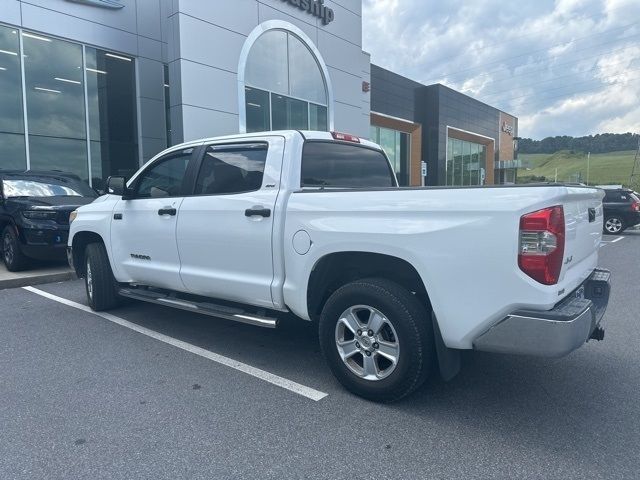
(605,168)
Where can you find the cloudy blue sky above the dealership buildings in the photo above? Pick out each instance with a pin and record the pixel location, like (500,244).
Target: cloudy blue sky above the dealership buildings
(563,67)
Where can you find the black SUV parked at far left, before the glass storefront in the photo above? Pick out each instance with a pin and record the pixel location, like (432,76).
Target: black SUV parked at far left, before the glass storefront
(34,214)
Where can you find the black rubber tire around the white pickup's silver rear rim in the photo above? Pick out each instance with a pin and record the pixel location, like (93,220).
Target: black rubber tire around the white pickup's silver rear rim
(410,322)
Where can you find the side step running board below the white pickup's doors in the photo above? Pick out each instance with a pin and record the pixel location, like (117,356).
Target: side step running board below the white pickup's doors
(205,308)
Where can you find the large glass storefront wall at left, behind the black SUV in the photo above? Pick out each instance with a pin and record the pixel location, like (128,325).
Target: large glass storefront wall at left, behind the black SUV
(59,107)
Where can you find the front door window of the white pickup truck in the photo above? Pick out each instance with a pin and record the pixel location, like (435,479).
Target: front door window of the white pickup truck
(165,177)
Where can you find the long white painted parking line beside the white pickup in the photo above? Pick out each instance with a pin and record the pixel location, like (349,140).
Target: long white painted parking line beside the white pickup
(290,385)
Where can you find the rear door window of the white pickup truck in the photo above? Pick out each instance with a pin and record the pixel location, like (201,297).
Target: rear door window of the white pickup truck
(228,169)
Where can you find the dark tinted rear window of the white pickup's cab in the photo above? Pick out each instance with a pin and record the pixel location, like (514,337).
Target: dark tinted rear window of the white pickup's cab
(341,165)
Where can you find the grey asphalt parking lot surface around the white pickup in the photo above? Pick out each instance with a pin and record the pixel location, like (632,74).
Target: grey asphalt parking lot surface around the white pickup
(82,396)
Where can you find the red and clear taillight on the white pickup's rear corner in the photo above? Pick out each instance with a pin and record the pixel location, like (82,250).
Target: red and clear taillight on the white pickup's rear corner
(542,244)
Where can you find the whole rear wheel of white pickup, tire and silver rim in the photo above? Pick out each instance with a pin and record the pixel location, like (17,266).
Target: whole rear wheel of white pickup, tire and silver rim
(377,339)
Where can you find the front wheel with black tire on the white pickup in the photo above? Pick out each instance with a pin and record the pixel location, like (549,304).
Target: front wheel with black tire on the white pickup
(100,285)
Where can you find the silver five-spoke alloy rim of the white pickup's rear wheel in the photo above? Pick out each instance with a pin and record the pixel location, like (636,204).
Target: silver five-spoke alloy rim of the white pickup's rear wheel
(367,342)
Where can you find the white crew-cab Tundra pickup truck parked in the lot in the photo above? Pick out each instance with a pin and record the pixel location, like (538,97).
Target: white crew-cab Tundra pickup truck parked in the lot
(400,280)
